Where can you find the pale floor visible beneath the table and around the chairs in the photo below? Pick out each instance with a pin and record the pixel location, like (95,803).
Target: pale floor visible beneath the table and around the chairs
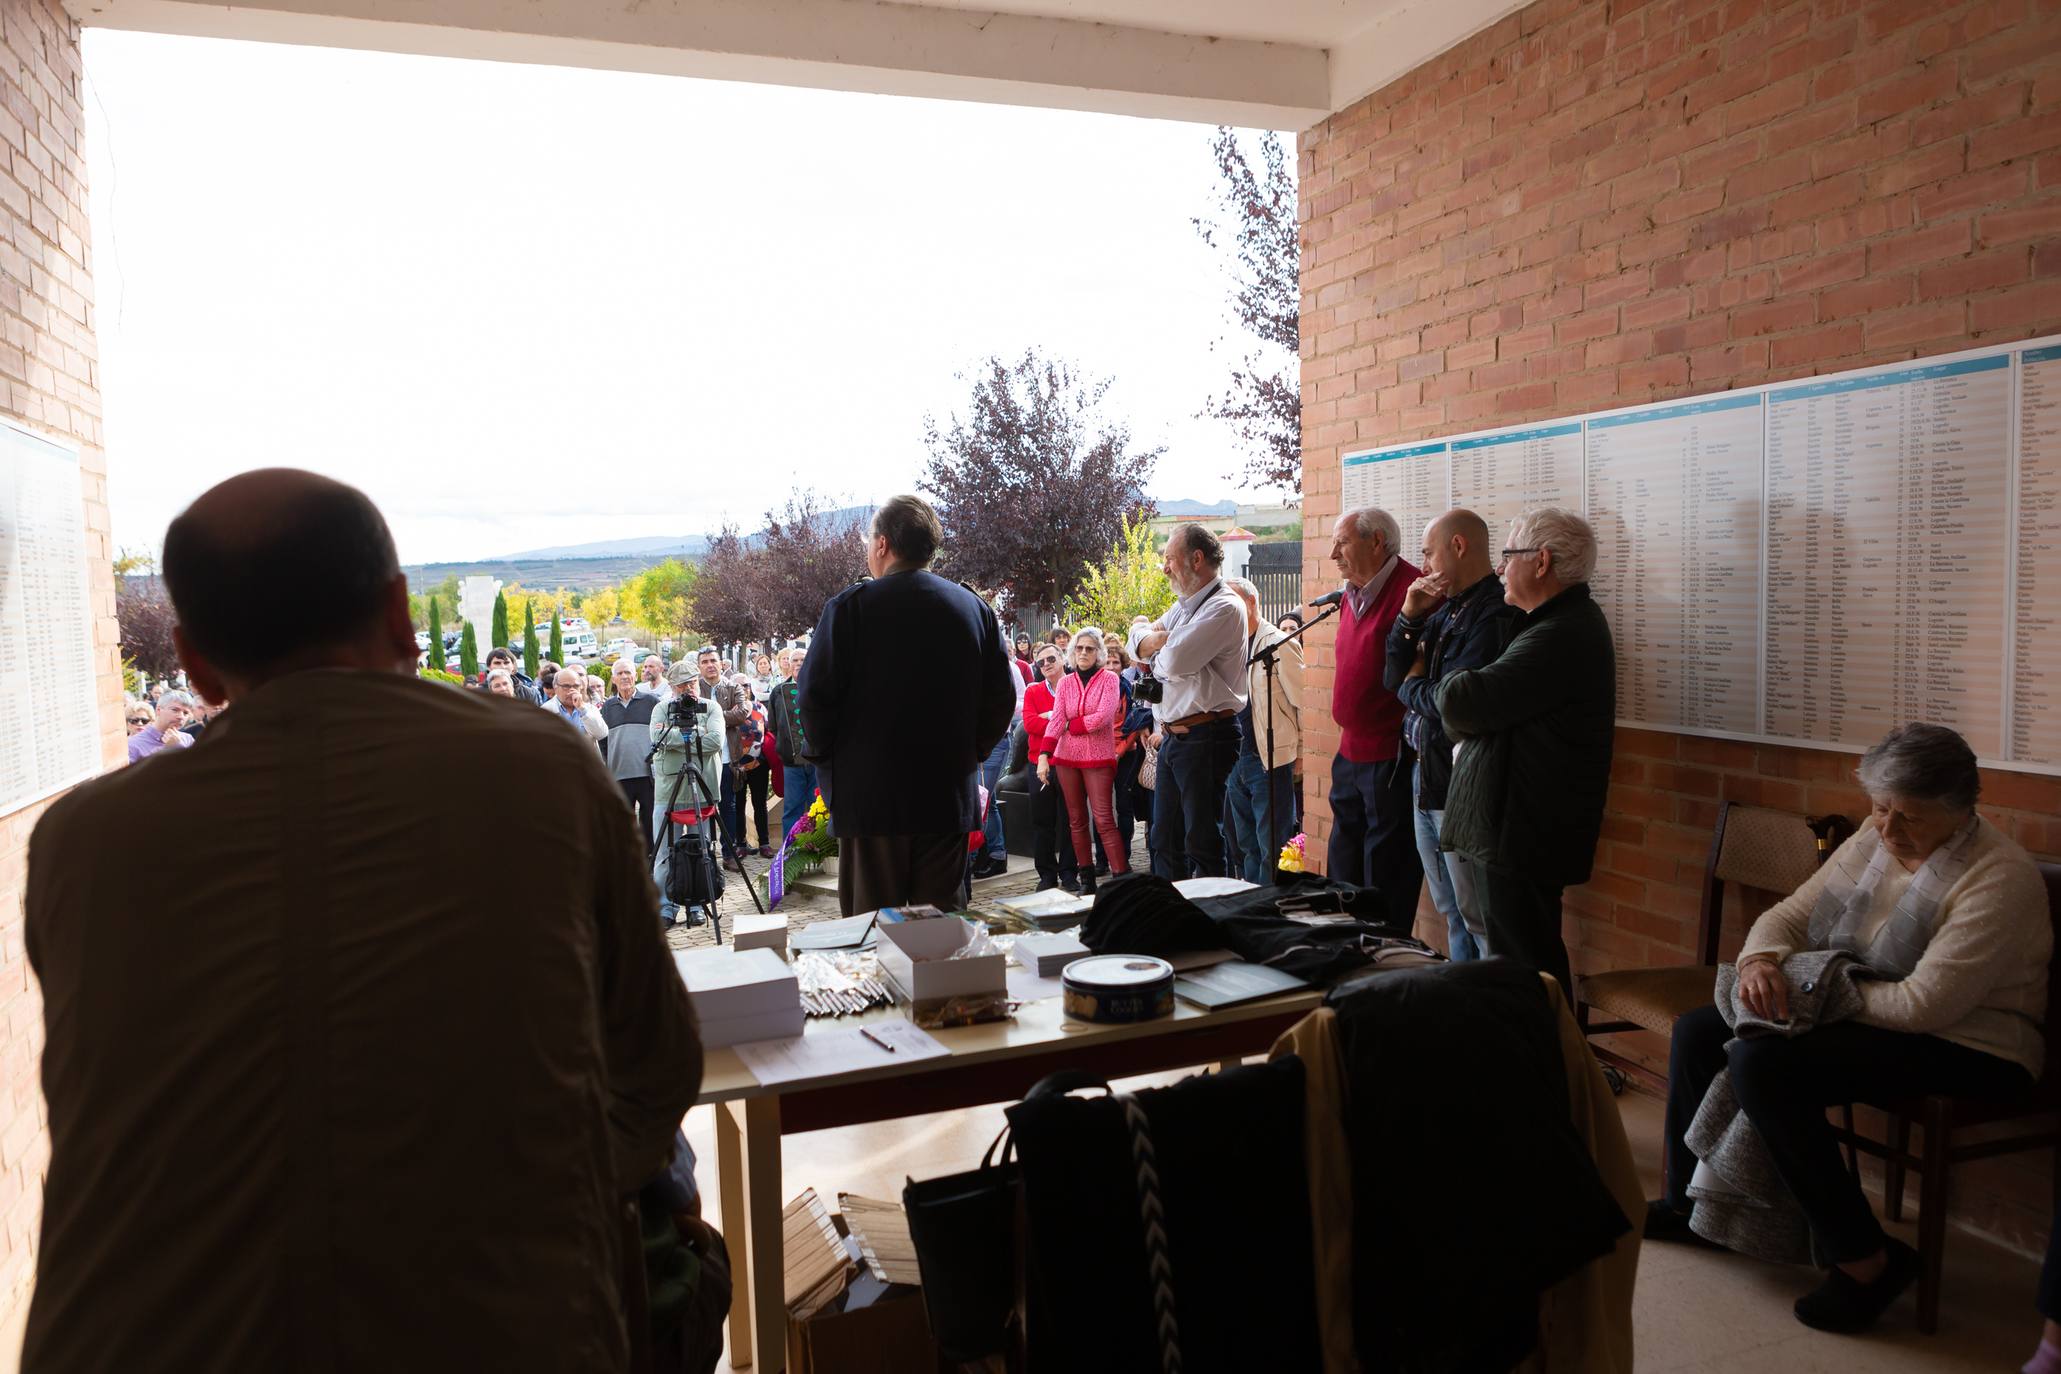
(1695,1313)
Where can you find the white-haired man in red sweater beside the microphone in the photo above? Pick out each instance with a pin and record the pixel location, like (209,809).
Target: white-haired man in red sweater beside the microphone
(1374,841)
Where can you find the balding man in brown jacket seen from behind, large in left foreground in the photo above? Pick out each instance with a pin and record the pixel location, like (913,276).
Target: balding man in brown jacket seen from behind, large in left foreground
(314,1101)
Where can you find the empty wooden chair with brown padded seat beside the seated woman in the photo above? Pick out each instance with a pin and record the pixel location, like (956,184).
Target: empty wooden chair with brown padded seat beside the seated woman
(1755,848)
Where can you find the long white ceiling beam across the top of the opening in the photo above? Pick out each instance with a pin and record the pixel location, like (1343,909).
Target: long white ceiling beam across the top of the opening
(834,44)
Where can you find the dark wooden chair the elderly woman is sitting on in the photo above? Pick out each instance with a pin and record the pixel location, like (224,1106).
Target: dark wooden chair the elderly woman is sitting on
(2027,1124)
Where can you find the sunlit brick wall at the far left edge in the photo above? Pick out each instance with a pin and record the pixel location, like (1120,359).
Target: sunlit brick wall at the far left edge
(48,380)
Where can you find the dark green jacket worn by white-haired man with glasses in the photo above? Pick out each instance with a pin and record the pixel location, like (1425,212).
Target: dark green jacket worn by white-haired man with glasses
(1536,730)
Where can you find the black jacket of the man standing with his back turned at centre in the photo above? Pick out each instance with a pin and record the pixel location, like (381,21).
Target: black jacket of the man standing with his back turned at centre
(906,693)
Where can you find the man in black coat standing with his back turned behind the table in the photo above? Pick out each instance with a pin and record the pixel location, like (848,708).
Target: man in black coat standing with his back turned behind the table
(906,689)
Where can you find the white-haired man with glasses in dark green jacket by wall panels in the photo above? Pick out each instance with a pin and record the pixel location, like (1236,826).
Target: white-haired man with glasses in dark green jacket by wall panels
(1534,734)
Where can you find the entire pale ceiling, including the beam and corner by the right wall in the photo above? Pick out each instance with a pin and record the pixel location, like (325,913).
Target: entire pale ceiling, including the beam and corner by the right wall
(1250,63)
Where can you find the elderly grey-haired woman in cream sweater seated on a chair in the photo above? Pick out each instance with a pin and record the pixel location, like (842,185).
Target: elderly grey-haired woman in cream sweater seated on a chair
(1947,924)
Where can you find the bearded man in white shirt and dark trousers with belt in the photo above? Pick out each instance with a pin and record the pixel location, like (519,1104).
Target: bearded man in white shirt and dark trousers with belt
(1198,656)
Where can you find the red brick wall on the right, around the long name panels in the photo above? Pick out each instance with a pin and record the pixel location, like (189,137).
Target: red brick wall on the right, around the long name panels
(1604,203)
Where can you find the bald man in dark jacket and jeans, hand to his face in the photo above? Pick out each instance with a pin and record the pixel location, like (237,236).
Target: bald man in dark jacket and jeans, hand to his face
(1454,617)
